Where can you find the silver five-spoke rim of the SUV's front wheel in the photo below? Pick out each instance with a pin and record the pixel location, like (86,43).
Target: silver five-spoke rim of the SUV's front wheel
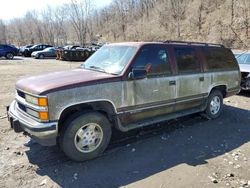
(88,137)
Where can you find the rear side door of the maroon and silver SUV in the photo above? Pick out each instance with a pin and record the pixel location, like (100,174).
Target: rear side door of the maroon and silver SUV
(190,79)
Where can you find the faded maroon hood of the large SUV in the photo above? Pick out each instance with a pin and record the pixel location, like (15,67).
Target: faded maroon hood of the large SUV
(46,83)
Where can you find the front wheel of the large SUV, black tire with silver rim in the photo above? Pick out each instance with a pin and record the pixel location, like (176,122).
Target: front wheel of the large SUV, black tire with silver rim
(85,136)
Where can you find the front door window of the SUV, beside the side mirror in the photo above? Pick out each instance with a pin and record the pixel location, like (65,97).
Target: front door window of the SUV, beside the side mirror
(154,59)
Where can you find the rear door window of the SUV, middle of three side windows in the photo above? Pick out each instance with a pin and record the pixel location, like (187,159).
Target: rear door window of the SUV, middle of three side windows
(187,61)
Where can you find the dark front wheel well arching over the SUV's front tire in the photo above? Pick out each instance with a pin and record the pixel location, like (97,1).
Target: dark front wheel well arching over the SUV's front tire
(103,107)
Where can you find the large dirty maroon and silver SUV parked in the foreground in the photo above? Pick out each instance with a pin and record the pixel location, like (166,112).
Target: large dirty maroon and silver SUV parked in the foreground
(123,86)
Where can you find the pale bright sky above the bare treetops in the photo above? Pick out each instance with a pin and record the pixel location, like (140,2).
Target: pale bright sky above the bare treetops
(17,8)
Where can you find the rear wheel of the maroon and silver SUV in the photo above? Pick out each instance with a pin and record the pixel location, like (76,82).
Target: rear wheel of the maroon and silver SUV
(214,104)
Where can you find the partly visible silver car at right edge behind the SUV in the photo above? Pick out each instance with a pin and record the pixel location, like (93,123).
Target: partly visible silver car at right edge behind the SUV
(244,63)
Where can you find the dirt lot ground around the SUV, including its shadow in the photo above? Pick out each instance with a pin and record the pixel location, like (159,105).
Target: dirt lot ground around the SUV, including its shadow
(188,152)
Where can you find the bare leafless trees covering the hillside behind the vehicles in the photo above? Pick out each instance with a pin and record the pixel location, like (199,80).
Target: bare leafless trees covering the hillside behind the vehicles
(79,22)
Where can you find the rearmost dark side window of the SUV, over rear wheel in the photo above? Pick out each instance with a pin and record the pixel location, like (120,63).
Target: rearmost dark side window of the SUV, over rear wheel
(219,58)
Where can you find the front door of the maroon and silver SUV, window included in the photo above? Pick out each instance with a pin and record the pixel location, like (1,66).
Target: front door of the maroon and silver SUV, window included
(154,95)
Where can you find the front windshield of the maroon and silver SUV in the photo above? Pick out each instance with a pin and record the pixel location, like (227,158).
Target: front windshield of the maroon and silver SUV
(111,59)
